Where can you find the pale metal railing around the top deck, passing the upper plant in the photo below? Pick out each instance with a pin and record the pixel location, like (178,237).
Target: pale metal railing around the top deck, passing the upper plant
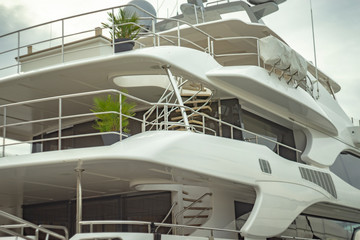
(12,55)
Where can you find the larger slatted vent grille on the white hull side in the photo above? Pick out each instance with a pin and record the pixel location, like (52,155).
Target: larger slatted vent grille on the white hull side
(321,179)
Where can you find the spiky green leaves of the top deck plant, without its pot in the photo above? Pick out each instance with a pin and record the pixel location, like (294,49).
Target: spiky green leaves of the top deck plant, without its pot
(124,25)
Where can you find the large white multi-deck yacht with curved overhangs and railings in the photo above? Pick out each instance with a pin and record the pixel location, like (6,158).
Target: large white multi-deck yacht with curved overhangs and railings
(231,134)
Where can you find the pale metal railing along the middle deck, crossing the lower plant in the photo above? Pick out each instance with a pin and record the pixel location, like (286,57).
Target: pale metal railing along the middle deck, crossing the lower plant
(60,122)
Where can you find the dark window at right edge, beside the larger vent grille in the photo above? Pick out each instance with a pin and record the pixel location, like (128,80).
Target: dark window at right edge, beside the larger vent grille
(347,167)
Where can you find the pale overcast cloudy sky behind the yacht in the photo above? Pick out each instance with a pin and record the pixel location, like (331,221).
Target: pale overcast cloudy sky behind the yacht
(337,31)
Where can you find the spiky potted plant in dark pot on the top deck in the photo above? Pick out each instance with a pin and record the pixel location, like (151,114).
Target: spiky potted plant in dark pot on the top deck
(125,30)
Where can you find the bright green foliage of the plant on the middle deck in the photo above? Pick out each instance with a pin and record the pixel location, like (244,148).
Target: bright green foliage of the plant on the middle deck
(111,122)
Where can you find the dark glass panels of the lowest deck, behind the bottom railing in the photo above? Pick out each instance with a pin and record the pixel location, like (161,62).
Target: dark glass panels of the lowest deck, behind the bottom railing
(145,207)
